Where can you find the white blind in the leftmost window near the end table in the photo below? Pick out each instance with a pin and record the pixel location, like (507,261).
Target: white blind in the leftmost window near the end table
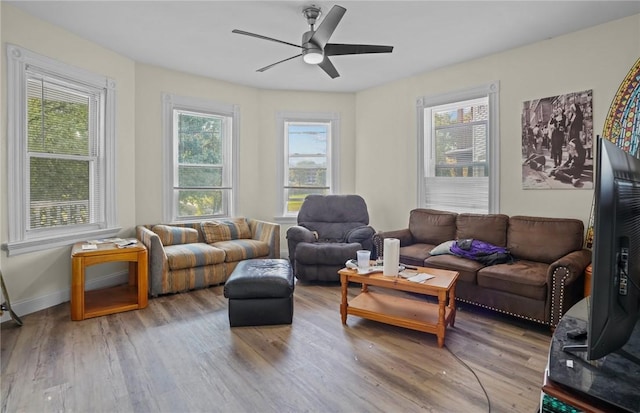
(65,186)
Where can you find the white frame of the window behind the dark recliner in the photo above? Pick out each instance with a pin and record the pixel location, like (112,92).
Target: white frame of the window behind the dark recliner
(333,155)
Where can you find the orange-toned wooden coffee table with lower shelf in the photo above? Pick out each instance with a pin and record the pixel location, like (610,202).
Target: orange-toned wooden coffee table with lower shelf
(400,311)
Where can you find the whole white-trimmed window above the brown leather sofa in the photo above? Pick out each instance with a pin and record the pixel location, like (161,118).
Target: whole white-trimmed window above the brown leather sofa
(458,146)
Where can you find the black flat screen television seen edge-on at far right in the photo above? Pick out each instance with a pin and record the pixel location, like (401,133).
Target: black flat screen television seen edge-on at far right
(614,306)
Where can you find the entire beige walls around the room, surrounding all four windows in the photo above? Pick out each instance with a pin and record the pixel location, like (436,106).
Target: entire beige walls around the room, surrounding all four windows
(380,123)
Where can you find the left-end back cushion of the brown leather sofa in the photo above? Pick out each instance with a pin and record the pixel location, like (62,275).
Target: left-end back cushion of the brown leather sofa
(430,226)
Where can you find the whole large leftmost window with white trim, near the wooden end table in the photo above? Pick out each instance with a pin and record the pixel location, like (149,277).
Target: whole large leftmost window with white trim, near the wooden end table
(61,153)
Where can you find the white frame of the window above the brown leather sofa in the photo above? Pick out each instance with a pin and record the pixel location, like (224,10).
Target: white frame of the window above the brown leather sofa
(491,91)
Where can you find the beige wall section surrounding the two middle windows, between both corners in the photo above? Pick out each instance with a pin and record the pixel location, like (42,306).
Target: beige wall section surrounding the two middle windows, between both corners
(258,141)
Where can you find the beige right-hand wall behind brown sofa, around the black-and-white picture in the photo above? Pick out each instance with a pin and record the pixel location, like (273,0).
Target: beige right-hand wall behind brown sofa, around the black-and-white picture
(597,58)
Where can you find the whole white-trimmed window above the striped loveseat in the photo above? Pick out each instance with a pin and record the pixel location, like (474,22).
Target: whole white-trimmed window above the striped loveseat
(201,139)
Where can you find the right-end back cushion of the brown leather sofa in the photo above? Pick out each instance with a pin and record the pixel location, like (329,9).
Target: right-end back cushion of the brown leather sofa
(543,239)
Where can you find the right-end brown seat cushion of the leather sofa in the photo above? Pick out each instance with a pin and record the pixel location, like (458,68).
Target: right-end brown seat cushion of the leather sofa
(523,278)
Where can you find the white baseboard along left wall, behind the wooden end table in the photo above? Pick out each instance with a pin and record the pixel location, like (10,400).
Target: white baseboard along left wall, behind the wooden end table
(32,305)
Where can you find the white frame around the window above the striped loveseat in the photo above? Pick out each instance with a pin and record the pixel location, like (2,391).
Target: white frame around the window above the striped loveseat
(171,103)
